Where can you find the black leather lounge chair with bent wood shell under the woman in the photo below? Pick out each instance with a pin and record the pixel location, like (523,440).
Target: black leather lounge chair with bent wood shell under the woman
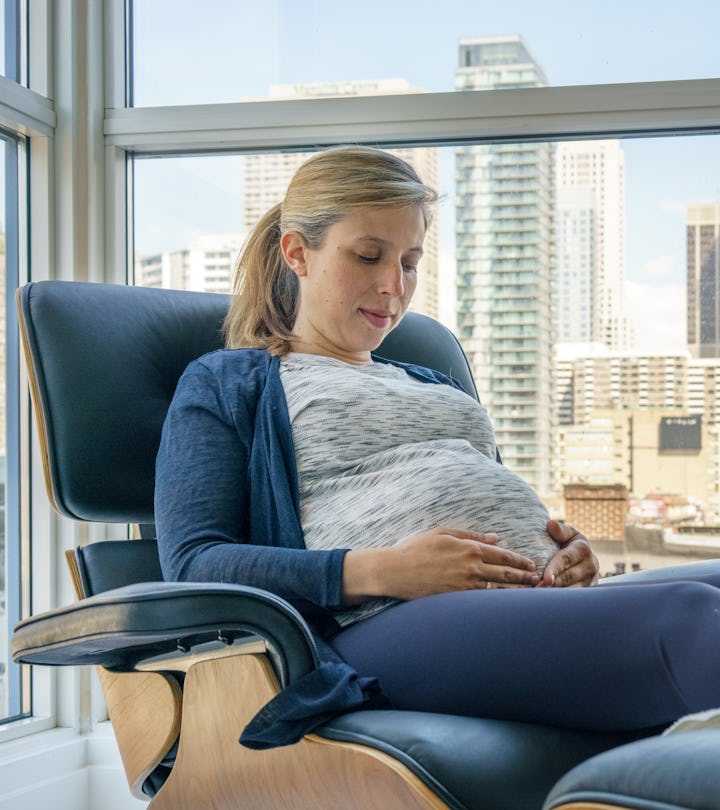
(185,666)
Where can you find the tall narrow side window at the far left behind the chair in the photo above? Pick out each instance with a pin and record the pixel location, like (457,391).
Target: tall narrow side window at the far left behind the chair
(26,124)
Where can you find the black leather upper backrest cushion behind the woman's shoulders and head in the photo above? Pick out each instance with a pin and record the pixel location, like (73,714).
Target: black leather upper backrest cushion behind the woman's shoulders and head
(103,362)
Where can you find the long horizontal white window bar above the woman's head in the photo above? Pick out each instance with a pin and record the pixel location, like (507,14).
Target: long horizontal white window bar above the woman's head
(544,113)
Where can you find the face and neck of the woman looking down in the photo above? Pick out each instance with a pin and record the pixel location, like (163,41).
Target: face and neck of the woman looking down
(357,286)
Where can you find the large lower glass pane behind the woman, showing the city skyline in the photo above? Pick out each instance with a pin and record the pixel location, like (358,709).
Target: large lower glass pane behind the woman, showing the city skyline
(583,283)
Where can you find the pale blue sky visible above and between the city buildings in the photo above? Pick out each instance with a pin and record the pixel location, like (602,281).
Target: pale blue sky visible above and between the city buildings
(235,49)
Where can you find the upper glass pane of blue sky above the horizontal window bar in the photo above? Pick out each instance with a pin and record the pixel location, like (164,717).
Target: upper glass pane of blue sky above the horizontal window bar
(235,51)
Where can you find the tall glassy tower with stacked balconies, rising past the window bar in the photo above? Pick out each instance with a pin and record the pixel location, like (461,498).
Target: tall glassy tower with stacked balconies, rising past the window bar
(504,254)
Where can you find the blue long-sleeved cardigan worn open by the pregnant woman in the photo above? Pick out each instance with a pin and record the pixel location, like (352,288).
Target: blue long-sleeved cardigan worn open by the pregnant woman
(227,510)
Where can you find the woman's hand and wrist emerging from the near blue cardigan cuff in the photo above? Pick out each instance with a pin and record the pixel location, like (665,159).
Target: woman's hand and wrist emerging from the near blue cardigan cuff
(434,561)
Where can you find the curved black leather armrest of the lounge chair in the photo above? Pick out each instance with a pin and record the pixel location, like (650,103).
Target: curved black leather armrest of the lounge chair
(121,627)
